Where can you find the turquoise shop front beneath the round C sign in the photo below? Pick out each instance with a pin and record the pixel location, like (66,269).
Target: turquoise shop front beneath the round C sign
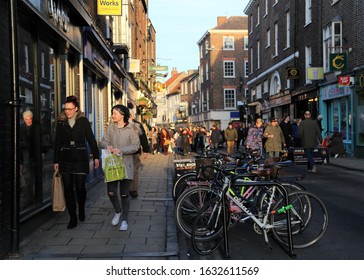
(336,106)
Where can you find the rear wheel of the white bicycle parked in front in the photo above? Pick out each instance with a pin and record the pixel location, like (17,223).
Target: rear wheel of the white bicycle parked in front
(308,215)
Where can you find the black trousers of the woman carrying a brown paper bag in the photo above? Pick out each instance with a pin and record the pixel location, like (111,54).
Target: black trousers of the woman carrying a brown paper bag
(74,186)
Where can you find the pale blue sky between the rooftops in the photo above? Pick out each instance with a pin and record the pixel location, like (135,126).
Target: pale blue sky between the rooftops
(180,24)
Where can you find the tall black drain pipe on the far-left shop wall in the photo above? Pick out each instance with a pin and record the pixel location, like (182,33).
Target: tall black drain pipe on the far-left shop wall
(15,104)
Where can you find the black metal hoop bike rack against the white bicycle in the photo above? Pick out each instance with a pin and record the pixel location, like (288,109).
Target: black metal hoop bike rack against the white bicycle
(288,250)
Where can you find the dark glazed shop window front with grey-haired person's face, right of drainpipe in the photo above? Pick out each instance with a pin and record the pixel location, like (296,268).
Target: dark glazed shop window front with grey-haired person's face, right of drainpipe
(49,47)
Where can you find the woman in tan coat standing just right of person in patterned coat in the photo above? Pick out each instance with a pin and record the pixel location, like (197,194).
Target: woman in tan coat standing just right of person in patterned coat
(275,138)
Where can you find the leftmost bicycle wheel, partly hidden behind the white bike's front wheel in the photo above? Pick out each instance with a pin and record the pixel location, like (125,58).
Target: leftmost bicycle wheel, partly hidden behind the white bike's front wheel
(188,205)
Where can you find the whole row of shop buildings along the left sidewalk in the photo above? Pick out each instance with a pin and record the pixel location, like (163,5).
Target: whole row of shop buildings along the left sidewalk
(55,49)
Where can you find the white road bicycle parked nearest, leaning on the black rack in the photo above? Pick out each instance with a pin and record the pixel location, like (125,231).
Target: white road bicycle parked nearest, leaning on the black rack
(296,219)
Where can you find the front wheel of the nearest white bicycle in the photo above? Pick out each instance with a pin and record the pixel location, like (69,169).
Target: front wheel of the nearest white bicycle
(207,229)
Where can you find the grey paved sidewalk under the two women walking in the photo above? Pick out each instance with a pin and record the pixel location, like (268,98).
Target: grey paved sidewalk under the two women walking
(152,231)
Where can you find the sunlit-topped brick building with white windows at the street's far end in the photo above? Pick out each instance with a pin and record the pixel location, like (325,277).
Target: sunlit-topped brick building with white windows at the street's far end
(222,65)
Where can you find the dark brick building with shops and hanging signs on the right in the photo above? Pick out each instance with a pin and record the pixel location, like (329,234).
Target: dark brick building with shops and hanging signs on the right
(307,55)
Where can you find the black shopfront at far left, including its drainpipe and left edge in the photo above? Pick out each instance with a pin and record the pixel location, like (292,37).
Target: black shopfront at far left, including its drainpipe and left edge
(47,49)
